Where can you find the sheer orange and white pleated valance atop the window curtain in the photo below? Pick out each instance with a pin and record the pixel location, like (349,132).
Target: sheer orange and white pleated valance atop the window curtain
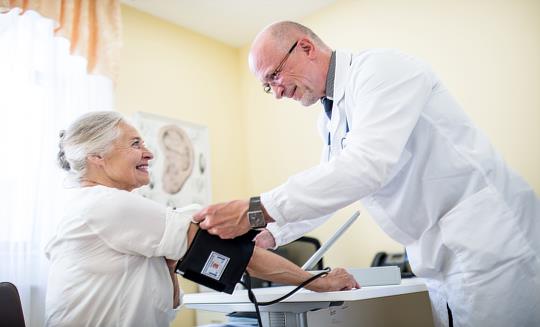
(93,28)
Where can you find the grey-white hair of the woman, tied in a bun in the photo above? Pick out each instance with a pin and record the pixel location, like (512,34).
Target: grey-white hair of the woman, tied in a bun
(92,133)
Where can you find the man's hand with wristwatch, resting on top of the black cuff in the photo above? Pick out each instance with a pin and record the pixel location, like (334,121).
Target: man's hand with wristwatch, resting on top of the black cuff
(227,219)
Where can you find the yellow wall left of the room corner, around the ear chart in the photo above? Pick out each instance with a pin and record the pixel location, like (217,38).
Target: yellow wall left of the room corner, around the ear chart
(174,72)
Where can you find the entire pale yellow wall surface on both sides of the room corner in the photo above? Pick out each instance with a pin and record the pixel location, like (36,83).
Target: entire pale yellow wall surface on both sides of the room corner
(486,52)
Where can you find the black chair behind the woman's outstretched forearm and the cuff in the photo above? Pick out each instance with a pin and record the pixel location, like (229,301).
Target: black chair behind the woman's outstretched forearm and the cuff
(298,252)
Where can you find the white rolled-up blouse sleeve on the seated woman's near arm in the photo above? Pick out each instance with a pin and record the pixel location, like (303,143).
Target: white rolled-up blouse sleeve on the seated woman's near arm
(132,224)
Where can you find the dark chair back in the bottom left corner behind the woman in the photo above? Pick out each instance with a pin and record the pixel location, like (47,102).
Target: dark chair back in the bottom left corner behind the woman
(11,314)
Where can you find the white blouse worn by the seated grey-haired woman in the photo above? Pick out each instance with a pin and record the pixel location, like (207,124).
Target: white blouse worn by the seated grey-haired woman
(108,260)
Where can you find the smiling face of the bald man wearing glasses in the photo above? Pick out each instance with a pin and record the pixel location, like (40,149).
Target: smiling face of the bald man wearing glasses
(290,74)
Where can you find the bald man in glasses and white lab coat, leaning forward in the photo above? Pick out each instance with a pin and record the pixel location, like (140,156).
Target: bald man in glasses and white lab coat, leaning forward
(395,138)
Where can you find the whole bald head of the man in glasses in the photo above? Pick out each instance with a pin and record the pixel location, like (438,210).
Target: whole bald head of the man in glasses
(291,61)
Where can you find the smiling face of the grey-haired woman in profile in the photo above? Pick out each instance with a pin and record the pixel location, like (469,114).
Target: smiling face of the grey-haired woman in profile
(125,165)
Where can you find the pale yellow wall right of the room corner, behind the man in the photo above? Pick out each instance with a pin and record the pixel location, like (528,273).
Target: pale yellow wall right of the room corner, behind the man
(486,52)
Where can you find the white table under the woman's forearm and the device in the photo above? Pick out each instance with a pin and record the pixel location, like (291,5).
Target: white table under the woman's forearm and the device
(406,304)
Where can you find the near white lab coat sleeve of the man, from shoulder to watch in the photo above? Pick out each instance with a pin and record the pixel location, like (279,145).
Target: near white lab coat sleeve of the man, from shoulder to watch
(385,96)
